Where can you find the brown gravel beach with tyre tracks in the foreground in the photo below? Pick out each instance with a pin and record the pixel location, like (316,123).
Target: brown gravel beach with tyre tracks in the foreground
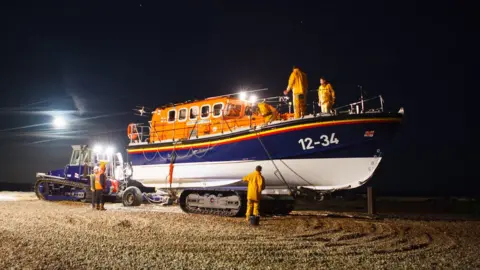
(63,235)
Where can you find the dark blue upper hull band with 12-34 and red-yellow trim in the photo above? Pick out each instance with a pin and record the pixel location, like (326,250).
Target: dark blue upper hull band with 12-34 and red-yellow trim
(338,139)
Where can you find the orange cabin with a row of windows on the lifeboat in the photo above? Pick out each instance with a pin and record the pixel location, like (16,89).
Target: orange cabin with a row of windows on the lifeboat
(195,119)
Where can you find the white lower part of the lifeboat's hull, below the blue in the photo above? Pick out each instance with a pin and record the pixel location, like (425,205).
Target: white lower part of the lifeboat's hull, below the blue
(315,173)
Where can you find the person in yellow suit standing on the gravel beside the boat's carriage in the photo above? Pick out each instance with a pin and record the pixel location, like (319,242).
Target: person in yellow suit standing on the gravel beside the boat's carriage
(256,183)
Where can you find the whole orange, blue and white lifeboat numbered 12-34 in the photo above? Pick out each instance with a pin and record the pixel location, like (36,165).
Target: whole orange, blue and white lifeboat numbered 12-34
(211,144)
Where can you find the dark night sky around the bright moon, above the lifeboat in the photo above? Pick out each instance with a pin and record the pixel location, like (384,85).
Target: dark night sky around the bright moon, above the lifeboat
(102,58)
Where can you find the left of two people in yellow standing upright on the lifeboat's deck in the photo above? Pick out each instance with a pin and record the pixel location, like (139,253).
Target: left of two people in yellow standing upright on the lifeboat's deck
(298,82)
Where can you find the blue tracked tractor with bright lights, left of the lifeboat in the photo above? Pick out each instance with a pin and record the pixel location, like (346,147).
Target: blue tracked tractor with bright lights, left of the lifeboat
(72,183)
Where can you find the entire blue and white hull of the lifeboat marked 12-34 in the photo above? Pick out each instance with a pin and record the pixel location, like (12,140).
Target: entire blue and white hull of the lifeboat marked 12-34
(317,153)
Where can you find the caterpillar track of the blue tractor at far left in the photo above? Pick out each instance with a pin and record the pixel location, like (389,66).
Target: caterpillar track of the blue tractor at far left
(60,189)
